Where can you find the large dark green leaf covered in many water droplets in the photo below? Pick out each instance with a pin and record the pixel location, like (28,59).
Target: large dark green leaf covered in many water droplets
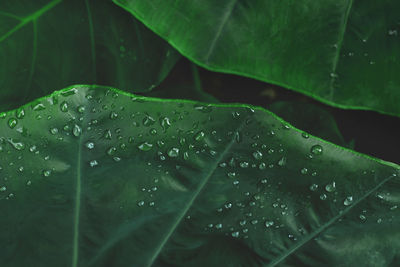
(97,177)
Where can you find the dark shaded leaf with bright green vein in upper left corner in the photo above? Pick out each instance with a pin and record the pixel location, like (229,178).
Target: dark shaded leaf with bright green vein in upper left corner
(50,44)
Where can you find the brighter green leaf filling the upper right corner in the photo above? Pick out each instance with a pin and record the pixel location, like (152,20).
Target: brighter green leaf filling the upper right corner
(342,52)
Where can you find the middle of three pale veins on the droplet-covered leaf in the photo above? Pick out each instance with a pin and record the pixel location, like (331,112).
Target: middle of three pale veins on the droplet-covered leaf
(194,197)
